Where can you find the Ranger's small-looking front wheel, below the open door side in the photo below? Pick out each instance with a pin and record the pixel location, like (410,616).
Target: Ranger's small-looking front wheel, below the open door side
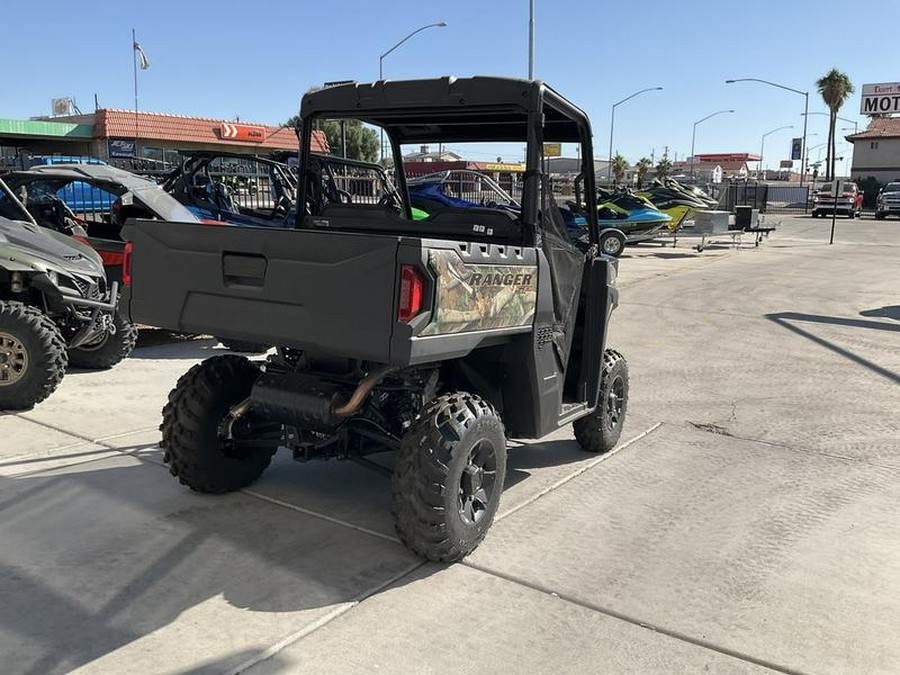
(599,432)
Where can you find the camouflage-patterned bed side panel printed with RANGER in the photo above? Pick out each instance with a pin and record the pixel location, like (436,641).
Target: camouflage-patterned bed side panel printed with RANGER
(480,297)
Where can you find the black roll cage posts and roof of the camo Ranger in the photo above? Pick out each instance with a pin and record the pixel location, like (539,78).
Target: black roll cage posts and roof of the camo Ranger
(457,110)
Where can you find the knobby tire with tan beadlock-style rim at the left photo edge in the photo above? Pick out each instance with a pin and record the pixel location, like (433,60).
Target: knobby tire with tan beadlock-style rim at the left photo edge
(33,356)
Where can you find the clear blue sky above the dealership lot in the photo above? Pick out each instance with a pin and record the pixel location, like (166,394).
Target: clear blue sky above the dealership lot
(254,60)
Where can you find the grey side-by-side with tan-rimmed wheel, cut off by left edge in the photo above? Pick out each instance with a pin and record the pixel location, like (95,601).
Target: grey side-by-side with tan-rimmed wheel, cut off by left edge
(55,308)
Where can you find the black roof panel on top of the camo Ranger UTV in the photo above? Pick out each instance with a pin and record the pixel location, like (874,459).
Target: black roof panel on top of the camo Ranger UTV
(451,109)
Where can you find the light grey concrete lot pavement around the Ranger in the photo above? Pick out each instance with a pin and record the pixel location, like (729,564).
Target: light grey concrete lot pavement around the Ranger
(749,525)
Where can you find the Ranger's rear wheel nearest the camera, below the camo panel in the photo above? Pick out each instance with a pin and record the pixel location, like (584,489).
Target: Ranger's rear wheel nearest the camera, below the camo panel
(448,478)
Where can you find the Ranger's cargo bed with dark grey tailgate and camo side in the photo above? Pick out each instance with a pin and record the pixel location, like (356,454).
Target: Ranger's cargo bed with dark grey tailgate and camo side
(332,291)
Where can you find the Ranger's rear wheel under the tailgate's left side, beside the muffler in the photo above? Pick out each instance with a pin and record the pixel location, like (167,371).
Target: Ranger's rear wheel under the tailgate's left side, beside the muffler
(206,449)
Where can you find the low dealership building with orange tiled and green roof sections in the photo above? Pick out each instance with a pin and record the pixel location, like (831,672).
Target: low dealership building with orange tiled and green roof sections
(125,137)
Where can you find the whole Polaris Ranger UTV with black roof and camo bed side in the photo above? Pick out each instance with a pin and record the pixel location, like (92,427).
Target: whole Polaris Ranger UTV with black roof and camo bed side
(437,338)
